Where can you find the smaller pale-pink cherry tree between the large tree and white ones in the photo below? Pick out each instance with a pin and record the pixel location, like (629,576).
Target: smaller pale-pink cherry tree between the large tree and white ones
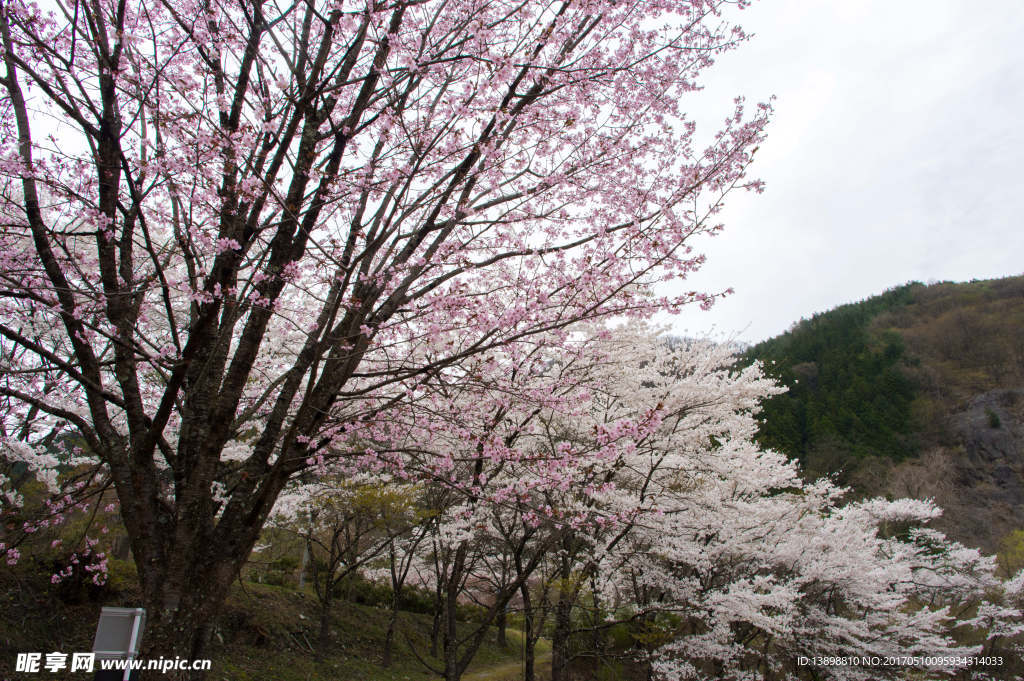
(478,432)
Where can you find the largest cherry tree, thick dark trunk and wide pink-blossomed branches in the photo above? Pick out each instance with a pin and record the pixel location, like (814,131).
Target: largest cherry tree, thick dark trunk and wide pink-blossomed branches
(234,233)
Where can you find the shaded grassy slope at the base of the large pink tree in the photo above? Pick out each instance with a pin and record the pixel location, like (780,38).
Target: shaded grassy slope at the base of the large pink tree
(266,633)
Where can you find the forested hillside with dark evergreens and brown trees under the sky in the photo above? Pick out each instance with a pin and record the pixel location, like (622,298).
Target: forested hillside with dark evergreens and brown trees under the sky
(917,392)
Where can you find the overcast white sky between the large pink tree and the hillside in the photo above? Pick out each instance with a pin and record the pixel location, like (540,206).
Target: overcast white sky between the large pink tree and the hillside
(897,154)
